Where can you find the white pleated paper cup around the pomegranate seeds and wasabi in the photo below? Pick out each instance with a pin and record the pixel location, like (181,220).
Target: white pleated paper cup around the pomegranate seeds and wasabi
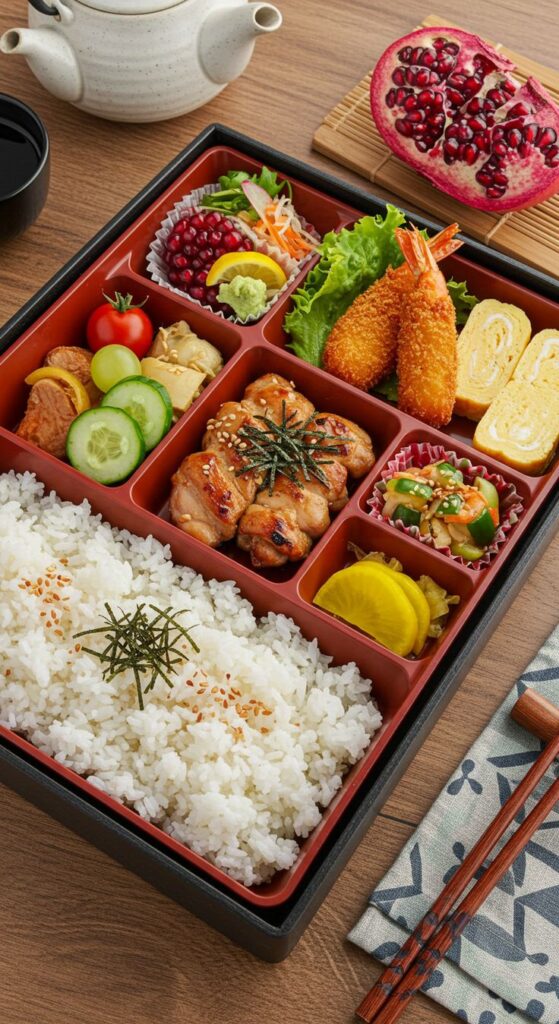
(159,272)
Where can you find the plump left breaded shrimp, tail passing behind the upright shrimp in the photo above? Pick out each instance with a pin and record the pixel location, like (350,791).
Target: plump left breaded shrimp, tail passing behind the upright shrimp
(362,347)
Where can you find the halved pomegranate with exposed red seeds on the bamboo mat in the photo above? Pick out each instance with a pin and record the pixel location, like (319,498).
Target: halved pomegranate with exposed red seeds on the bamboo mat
(448,105)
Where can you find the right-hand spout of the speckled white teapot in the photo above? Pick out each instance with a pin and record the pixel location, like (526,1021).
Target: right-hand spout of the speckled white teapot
(229,35)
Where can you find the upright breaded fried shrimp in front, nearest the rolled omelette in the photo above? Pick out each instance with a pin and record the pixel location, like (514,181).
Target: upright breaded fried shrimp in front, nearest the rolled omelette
(427,339)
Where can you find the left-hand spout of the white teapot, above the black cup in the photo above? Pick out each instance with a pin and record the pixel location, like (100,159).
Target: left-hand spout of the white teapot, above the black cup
(51,58)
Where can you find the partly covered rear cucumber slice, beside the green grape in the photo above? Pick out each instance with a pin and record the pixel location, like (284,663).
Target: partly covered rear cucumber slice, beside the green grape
(148,403)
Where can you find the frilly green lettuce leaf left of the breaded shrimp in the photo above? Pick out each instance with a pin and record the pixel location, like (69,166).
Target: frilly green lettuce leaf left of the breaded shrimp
(351,262)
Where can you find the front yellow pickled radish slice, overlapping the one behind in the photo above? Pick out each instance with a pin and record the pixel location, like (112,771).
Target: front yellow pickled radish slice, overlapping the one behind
(366,595)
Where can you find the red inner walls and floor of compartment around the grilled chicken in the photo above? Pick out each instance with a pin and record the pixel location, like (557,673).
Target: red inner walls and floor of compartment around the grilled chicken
(152,489)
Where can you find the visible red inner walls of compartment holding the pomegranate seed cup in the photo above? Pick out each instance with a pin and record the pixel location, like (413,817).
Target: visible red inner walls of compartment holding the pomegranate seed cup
(319,209)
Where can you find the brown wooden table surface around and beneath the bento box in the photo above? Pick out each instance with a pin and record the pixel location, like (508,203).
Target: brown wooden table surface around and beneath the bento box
(83,941)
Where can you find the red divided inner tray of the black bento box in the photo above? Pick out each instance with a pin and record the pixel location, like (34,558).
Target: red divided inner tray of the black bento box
(142,504)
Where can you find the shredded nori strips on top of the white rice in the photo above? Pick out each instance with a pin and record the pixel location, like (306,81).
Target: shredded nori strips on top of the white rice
(140,644)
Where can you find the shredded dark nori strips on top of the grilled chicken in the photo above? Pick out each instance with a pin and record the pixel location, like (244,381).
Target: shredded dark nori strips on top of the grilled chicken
(287,448)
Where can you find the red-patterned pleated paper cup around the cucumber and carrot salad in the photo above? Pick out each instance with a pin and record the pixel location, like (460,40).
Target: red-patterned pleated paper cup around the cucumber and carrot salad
(420,455)
